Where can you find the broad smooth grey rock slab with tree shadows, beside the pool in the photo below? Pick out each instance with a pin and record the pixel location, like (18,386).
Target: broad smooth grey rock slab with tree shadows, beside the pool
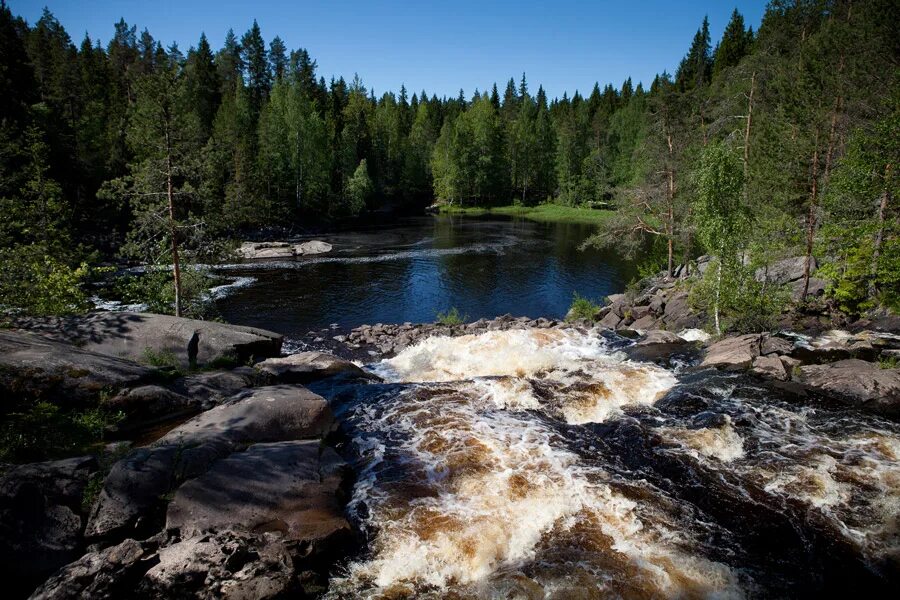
(142,336)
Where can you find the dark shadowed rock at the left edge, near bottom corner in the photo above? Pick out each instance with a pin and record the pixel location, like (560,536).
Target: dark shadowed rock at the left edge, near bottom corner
(40,520)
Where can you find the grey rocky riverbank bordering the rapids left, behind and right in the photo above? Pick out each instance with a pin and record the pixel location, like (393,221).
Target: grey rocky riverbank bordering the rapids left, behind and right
(223,480)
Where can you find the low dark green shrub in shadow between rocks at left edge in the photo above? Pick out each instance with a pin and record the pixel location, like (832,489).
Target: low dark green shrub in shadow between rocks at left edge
(42,431)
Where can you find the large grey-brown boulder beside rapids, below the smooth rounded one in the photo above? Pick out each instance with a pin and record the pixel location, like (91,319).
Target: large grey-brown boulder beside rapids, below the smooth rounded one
(289,487)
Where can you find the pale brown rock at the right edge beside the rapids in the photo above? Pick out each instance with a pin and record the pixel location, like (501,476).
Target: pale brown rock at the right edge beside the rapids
(859,383)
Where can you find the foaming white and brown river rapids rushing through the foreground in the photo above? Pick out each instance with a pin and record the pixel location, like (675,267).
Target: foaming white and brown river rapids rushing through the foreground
(543,463)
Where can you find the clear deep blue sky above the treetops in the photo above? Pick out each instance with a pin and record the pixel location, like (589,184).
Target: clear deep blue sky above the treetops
(438,46)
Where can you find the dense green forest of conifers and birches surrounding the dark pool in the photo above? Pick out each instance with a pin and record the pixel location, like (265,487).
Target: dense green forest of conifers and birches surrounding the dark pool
(142,151)
